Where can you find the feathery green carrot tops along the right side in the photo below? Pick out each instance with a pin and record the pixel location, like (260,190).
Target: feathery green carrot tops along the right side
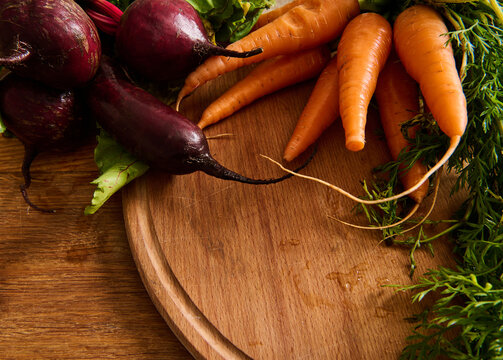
(466,321)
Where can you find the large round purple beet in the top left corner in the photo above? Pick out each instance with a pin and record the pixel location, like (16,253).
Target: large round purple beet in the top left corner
(52,41)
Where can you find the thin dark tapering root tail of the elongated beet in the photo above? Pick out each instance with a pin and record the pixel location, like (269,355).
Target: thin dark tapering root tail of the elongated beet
(214,168)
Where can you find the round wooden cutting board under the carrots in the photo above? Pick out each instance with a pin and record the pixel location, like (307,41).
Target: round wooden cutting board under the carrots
(241,271)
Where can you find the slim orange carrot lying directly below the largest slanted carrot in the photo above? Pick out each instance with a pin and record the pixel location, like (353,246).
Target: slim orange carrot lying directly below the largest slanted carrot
(271,75)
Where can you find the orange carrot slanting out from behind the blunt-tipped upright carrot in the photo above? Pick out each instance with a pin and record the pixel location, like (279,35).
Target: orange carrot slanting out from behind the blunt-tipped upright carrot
(321,110)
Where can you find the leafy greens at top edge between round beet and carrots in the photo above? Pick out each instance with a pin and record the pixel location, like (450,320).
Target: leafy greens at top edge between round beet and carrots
(230,20)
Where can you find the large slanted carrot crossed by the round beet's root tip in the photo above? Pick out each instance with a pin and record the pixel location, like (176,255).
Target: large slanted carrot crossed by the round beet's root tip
(309,24)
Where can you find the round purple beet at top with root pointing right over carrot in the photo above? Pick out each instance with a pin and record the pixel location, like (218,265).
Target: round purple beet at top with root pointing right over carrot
(164,40)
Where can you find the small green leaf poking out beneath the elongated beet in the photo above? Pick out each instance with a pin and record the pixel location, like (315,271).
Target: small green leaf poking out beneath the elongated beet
(117,168)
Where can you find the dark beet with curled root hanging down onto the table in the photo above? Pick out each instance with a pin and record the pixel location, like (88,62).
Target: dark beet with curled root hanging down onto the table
(41,118)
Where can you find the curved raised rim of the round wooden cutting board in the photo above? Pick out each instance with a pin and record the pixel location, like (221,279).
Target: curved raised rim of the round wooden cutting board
(169,298)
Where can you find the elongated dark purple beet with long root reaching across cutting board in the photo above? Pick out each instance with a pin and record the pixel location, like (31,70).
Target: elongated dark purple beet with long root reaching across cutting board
(150,129)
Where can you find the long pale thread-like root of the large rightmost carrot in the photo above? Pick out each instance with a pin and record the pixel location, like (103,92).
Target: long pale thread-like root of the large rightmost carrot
(453,145)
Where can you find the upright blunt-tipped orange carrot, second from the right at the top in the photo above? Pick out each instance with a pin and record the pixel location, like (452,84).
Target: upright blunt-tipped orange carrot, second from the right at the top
(361,54)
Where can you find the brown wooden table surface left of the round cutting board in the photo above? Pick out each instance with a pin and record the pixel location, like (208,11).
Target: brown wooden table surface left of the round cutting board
(69,288)
